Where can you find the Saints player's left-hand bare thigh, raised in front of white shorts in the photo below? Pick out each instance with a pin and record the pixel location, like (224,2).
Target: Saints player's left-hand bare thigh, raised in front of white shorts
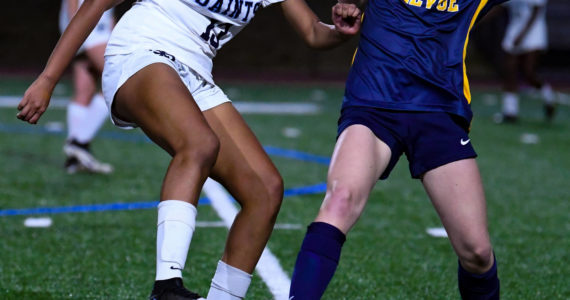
(156,99)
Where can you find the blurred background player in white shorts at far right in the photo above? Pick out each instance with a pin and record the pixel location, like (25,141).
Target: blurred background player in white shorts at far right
(525,38)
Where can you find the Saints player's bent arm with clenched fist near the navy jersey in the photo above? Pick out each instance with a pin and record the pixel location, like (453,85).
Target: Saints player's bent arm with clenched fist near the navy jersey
(316,33)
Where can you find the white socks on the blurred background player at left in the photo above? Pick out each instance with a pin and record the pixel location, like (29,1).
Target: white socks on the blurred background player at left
(85,121)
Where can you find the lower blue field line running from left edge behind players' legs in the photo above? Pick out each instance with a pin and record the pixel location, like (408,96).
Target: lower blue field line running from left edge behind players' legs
(299,191)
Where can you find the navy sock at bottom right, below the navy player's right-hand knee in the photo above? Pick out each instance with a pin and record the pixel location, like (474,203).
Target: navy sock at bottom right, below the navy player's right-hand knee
(479,286)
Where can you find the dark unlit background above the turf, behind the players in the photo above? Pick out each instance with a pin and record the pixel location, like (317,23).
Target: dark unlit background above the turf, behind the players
(268,48)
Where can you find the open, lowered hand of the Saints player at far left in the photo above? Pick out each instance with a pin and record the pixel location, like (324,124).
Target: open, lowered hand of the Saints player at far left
(36,100)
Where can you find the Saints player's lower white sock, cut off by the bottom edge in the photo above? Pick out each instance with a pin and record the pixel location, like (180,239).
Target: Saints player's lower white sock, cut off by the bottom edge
(229,283)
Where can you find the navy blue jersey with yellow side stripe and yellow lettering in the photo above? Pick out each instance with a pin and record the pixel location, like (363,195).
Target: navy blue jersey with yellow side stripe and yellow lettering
(411,56)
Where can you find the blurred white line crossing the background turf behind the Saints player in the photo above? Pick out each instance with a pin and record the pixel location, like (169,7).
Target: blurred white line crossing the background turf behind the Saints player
(276,108)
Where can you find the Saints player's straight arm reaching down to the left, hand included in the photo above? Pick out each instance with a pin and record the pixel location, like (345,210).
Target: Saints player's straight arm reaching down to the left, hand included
(37,96)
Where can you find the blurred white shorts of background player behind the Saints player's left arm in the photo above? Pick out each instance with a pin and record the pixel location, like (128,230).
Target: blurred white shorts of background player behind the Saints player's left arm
(101,33)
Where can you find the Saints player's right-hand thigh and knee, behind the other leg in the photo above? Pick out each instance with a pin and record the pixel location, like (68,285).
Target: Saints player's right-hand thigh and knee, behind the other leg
(242,165)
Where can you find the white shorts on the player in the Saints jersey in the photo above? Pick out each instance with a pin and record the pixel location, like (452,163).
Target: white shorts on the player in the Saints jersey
(119,68)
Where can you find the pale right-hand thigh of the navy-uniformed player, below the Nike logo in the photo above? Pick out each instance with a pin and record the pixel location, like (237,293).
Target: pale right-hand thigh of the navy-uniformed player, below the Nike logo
(456,192)
